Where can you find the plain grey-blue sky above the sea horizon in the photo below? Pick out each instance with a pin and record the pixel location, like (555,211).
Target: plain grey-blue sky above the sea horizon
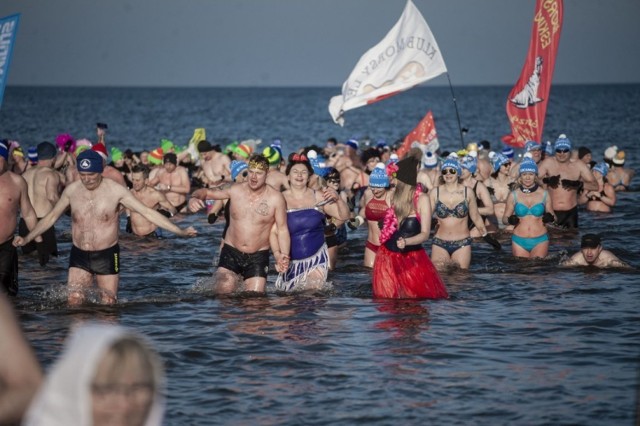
(302,42)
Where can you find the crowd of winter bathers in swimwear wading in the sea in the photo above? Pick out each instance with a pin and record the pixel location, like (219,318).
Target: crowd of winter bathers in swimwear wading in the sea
(299,208)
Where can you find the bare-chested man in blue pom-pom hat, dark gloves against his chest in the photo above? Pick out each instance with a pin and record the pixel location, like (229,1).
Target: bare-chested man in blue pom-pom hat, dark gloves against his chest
(564,177)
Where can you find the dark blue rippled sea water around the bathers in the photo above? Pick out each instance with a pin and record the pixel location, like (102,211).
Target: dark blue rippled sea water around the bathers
(518,342)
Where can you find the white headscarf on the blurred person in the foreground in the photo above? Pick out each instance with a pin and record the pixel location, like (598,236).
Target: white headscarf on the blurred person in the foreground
(65,397)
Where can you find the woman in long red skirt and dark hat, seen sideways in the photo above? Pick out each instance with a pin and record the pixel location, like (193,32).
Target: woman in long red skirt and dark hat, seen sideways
(402,269)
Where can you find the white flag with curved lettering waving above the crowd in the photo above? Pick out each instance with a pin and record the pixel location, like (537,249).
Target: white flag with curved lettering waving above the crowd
(406,57)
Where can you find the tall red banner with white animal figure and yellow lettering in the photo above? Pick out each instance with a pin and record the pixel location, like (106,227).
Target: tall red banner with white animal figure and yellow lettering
(527,102)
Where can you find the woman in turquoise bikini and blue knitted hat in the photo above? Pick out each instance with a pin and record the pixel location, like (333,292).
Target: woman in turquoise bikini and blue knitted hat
(528,209)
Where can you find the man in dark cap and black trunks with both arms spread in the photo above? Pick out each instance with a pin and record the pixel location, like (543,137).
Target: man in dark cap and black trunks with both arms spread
(95,205)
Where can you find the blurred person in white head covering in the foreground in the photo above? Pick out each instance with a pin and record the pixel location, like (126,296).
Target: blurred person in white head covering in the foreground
(106,375)
